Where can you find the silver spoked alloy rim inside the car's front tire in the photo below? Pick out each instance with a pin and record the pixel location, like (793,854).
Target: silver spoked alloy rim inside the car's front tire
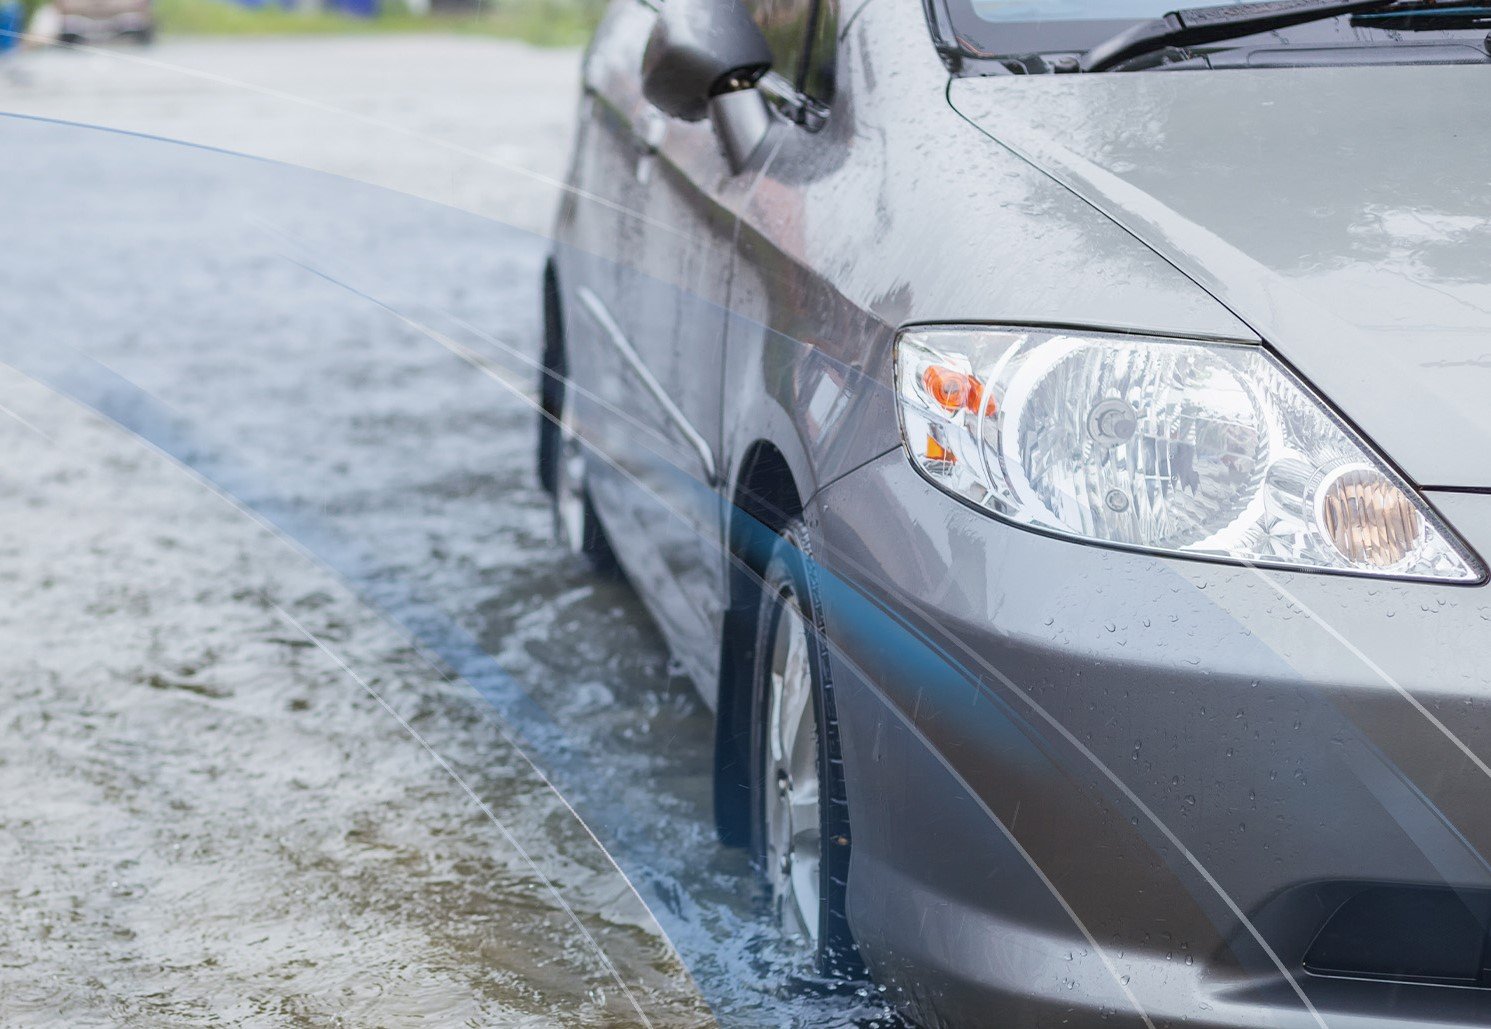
(794,827)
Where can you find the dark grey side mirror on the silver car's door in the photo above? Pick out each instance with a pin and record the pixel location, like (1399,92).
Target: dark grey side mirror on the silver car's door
(704,59)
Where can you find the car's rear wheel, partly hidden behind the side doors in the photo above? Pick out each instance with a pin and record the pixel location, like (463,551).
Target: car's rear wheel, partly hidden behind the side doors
(561,453)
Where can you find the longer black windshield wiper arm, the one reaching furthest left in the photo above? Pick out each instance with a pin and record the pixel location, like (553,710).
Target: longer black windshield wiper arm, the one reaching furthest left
(1213,25)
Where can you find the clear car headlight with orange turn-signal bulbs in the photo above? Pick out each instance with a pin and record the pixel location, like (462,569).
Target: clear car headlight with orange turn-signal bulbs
(1205,450)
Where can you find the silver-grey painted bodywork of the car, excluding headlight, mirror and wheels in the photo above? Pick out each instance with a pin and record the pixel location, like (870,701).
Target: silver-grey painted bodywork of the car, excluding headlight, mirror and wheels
(1086,785)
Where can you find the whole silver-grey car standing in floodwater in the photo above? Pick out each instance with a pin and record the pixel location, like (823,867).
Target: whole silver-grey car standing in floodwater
(1053,436)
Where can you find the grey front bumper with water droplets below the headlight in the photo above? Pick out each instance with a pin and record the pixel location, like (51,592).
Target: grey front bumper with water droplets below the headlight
(1089,784)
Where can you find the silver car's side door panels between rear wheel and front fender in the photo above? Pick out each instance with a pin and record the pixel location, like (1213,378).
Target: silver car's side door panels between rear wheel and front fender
(646,271)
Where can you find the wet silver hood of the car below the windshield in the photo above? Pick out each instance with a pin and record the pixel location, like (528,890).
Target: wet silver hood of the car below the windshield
(1343,214)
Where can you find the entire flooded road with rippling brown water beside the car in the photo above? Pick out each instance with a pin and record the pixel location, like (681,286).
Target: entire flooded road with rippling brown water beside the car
(306,717)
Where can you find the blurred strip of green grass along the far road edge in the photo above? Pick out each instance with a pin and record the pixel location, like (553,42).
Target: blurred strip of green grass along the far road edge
(543,23)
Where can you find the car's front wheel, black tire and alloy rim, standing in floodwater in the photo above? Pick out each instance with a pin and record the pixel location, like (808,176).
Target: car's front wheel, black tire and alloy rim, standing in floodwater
(801,845)
